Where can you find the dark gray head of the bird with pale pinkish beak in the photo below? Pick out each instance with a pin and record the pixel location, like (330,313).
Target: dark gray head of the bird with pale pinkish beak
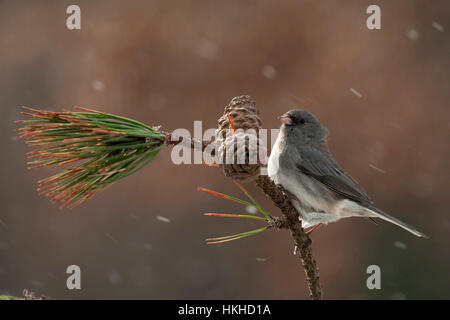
(302,125)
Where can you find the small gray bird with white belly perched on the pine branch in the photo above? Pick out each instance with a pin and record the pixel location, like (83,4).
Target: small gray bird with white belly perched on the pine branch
(320,190)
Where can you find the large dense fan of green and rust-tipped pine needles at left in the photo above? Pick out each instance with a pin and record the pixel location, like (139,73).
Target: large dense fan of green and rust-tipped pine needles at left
(105,148)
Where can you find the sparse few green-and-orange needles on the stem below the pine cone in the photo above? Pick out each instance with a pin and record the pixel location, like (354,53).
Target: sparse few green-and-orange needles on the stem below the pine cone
(253,203)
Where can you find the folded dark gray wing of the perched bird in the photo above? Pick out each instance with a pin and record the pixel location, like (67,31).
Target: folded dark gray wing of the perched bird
(320,164)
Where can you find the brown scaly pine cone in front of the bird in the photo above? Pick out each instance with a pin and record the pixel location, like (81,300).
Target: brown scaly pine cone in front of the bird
(239,150)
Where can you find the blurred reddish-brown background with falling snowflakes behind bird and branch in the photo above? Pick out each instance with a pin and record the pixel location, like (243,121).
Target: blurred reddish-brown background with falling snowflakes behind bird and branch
(383,94)
